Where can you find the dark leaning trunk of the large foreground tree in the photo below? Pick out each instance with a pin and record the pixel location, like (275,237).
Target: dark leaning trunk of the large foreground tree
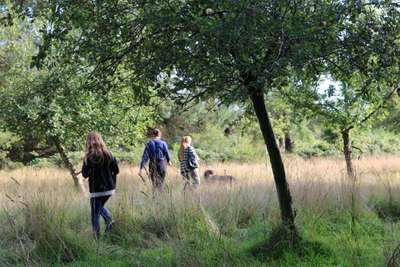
(284,196)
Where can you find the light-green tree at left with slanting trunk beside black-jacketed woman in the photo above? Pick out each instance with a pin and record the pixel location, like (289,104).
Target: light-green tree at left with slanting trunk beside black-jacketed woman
(48,103)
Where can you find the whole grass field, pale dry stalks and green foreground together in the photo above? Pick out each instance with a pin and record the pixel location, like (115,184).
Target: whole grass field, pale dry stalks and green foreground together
(44,222)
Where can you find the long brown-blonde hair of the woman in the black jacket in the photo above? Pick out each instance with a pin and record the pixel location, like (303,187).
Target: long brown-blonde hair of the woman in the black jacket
(96,149)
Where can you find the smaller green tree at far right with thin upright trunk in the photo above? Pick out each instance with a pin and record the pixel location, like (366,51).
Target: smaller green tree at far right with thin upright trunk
(364,73)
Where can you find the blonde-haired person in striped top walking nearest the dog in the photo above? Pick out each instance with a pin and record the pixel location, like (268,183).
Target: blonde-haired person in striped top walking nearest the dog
(189,162)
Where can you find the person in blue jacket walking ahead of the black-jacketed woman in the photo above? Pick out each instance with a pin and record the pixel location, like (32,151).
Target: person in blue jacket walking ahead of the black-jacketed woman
(157,155)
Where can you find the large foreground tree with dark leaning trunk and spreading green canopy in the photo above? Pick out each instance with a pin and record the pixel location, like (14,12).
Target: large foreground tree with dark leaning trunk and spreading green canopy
(235,51)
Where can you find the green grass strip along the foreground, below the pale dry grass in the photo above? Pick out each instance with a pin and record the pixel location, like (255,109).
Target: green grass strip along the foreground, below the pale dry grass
(45,233)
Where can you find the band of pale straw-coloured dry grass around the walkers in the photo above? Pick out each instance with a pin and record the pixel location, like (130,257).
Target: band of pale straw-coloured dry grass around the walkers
(317,184)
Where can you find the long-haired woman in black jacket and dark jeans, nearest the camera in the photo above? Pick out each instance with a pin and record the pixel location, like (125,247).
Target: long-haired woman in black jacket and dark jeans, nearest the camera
(101,167)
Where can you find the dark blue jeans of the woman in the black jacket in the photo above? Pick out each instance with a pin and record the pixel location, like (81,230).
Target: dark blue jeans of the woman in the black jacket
(97,208)
